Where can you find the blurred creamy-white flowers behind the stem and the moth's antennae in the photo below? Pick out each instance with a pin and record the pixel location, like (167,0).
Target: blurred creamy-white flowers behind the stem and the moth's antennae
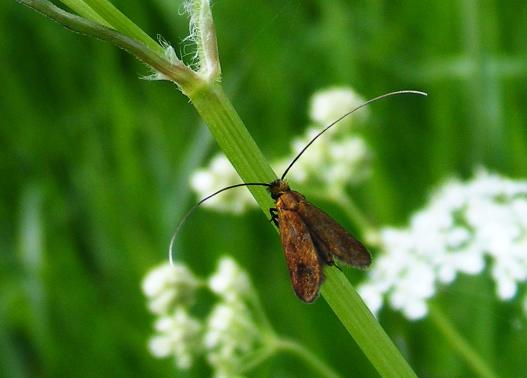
(335,160)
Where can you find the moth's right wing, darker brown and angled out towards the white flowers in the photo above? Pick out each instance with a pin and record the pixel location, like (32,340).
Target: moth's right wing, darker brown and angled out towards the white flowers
(332,239)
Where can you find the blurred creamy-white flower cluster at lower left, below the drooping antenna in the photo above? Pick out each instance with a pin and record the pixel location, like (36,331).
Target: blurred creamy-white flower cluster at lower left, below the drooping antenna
(227,336)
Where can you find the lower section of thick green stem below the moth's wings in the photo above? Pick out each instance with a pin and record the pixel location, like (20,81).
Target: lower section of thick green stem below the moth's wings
(363,326)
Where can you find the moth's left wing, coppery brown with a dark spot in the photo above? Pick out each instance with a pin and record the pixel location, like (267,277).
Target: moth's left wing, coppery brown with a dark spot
(303,262)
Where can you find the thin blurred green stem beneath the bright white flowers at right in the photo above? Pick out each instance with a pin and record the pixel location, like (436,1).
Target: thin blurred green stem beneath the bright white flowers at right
(458,342)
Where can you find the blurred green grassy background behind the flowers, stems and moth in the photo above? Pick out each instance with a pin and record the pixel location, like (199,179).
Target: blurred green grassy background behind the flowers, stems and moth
(95,165)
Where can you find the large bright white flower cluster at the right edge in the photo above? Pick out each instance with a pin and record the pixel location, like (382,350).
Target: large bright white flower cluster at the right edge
(464,225)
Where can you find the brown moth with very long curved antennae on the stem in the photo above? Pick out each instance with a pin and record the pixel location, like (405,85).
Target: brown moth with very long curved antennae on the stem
(310,238)
